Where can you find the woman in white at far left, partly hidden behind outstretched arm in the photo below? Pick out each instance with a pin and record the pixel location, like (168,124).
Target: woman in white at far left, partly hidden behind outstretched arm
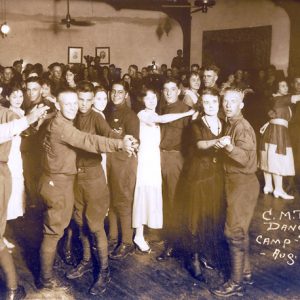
(17,199)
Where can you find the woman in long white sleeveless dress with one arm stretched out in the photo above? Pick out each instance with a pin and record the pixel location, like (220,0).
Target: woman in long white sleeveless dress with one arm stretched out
(147,205)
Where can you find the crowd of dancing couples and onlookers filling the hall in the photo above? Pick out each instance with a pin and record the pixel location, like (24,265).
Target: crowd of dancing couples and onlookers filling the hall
(166,148)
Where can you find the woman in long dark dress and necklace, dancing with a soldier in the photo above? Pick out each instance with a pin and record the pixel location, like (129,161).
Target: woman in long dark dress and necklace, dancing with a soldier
(203,176)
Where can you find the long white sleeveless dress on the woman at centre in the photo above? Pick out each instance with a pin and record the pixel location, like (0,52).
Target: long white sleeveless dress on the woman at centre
(147,205)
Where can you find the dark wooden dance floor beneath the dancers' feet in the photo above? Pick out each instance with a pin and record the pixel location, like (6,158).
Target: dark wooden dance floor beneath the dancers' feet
(142,277)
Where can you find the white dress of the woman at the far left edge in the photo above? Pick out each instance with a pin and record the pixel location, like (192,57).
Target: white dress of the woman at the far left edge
(16,201)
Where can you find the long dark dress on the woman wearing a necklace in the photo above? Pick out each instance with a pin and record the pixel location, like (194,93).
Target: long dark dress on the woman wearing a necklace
(204,200)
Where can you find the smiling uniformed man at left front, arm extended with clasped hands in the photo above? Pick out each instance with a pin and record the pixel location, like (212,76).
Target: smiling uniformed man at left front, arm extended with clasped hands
(59,170)
